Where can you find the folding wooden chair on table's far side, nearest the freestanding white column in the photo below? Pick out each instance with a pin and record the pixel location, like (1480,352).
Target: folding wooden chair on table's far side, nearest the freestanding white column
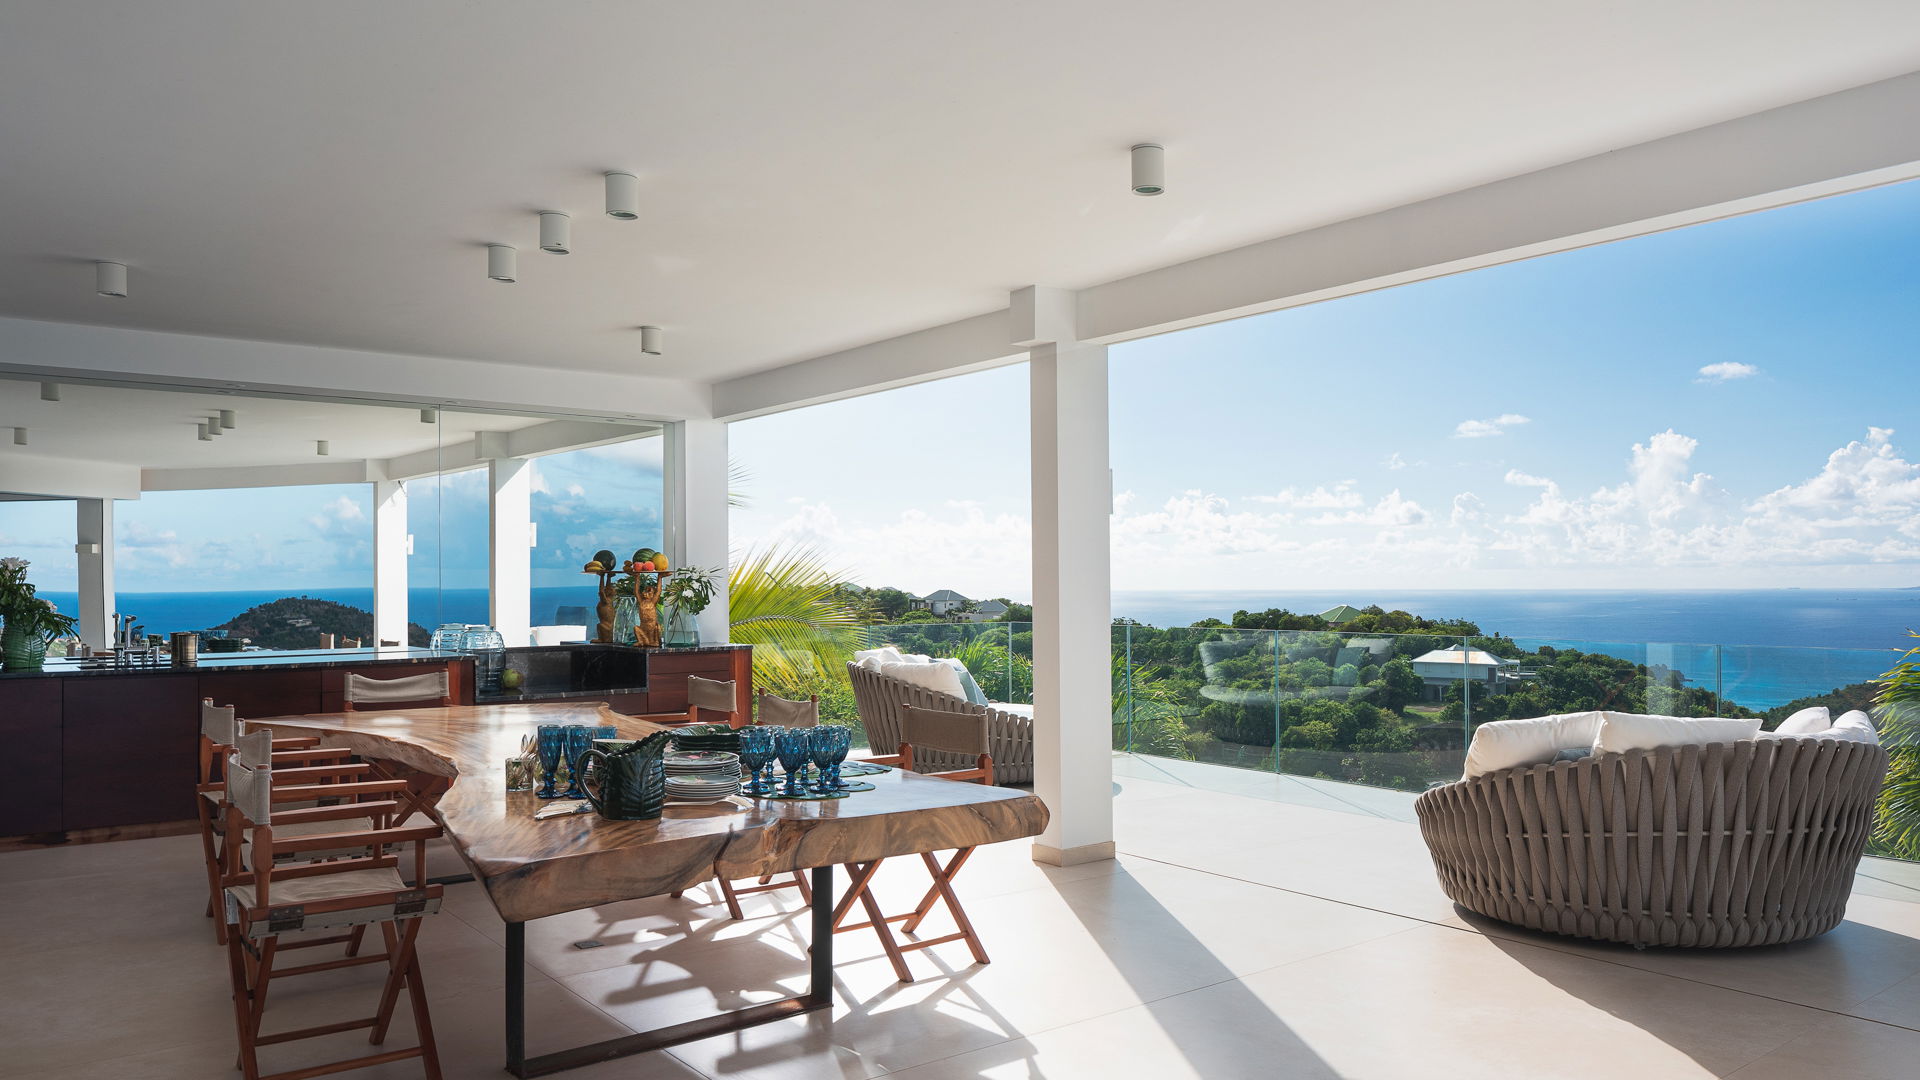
(951,733)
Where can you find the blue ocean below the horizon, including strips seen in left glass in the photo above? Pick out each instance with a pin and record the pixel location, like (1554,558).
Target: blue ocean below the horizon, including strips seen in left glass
(1760,649)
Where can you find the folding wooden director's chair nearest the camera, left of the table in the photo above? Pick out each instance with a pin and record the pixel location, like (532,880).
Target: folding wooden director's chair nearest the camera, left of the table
(266,900)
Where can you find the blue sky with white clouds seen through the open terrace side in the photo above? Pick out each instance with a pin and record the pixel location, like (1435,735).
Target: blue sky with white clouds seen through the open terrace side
(1723,406)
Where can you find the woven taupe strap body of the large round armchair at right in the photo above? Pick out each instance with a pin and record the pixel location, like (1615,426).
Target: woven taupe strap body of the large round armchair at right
(1706,847)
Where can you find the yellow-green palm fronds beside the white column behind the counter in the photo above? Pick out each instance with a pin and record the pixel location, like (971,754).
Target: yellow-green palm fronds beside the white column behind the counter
(784,602)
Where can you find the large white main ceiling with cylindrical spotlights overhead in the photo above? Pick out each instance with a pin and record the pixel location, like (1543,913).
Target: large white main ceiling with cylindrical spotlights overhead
(813,176)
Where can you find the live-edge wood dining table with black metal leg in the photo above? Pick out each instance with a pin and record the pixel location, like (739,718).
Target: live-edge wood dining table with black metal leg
(454,762)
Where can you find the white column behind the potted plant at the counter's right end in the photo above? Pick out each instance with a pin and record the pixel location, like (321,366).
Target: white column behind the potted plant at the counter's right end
(698,512)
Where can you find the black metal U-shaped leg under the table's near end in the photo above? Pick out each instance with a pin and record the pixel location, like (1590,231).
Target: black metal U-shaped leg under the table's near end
(819,996)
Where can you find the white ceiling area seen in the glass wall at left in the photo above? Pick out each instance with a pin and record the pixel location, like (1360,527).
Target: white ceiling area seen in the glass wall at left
(156,430)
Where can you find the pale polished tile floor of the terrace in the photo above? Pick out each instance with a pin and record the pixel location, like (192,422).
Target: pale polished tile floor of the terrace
(1255,927)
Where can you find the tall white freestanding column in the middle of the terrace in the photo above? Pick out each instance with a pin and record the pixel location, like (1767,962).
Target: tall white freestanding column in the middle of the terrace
(1072,591)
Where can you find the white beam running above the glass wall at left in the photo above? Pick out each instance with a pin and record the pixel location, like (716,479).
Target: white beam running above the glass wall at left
(53,351)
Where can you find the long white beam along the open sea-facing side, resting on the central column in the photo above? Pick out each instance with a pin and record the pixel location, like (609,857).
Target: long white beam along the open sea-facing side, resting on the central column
(1813,149)
